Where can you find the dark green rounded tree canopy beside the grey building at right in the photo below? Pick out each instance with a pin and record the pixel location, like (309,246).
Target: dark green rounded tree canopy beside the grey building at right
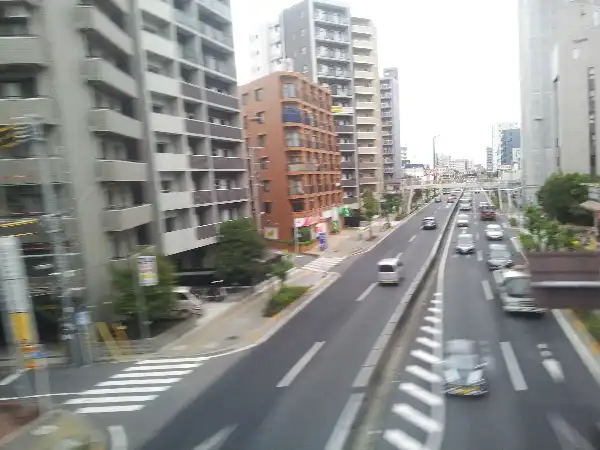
(561,195)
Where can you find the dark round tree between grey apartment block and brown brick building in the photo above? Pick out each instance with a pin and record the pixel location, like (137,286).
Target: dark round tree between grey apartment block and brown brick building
(240,252)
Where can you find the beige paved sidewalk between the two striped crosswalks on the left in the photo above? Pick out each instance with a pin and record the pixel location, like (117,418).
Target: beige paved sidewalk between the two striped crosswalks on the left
(242,324)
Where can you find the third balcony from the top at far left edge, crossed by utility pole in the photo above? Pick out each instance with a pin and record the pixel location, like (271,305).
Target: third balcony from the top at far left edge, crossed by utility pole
(20,171)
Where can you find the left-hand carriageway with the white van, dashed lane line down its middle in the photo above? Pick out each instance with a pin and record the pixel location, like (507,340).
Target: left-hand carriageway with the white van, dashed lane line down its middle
(296,391)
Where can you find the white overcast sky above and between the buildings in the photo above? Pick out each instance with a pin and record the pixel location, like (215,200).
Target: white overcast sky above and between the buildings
(458,62)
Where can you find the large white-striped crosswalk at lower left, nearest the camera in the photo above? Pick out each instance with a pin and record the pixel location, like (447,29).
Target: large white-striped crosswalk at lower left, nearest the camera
(134,387)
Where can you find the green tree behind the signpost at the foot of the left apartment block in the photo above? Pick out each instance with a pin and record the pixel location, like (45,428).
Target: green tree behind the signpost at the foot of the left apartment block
(158,299)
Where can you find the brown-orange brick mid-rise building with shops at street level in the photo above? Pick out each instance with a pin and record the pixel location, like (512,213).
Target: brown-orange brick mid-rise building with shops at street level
(289,126)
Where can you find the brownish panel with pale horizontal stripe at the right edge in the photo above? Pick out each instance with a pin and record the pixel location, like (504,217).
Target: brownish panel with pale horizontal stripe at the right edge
(565,280)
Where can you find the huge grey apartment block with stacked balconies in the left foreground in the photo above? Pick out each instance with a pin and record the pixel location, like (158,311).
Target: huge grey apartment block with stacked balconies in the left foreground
(142,121)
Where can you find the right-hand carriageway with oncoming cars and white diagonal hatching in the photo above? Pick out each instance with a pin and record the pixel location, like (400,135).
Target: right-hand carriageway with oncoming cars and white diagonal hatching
(541,393)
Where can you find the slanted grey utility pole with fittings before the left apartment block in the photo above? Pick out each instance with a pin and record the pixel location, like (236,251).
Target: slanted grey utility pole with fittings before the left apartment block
(53,223)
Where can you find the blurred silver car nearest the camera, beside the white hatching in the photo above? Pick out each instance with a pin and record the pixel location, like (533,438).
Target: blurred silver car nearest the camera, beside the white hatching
(464,369)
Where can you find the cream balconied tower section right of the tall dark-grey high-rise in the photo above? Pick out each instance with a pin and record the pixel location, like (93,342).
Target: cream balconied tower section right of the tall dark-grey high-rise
(367,103)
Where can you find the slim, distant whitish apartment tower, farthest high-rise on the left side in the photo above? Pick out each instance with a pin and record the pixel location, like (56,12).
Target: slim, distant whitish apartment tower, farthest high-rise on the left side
(393,152)
